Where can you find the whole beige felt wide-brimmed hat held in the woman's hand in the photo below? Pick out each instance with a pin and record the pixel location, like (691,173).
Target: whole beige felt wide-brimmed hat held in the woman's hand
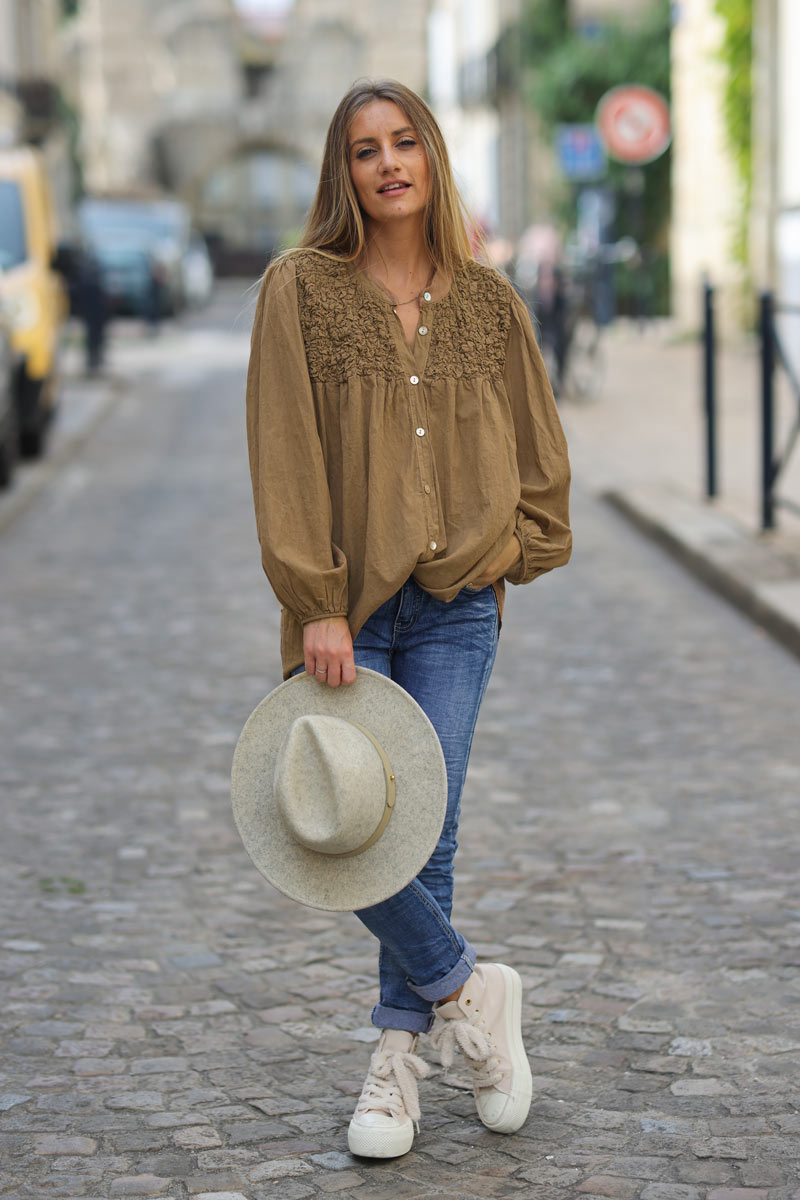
(339,794)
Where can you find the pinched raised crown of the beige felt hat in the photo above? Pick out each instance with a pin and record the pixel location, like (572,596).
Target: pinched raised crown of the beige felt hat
(330,784)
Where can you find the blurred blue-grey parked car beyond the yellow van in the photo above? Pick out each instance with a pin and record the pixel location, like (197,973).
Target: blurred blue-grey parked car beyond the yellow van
(158,229)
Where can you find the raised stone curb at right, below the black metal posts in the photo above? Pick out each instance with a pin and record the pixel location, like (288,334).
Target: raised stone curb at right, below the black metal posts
(719,554)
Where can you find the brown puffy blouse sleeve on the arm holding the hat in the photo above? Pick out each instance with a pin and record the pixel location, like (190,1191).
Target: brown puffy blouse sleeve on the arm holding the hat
(293,506)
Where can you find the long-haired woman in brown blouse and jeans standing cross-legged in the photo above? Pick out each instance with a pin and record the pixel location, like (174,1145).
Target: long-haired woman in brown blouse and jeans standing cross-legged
(406,458)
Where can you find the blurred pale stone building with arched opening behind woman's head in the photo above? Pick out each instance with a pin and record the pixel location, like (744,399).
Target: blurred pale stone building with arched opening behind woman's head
(225,110)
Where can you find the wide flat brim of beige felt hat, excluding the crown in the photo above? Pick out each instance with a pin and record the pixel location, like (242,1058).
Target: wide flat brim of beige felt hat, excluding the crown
(411,743)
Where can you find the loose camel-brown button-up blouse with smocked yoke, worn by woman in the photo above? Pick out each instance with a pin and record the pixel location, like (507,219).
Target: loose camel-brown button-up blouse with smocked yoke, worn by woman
(374,460)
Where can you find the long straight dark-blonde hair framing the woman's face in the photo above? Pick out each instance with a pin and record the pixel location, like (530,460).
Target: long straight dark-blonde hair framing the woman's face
(335,225)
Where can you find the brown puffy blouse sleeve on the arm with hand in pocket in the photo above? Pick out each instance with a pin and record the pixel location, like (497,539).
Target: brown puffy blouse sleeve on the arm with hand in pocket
(543,514)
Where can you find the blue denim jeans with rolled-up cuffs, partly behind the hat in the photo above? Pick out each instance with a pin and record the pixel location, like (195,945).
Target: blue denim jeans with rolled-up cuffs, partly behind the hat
(443,656)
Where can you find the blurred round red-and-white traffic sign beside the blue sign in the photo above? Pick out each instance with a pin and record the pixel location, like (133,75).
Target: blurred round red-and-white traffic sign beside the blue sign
(634,124)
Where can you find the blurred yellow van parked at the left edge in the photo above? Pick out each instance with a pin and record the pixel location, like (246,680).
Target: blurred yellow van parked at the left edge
(31,290)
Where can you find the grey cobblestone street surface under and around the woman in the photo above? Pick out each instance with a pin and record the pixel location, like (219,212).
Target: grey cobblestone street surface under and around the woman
(175,1028)
